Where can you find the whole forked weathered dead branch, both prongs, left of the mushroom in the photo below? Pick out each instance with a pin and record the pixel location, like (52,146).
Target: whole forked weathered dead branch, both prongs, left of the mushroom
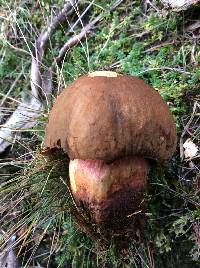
(27,113)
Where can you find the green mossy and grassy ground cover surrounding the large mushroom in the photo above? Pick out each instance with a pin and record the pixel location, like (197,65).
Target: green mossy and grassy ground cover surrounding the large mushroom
(151,43)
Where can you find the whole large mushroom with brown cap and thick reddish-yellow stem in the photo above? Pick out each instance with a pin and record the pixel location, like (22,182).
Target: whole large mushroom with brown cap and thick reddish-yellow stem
(110,125)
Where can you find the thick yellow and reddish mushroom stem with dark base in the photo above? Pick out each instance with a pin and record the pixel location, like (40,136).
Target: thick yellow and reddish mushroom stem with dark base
(109,192)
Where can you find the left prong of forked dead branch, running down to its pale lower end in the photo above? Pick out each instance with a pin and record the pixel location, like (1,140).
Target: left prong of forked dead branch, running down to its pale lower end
(27,113)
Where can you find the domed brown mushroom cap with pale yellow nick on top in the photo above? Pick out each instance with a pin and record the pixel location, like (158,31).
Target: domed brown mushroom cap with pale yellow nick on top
(108,116)
